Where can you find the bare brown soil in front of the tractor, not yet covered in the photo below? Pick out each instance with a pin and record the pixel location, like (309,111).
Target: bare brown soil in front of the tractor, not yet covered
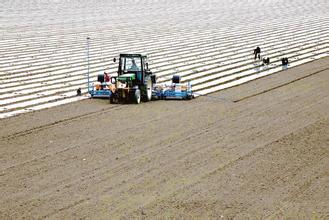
(257,150)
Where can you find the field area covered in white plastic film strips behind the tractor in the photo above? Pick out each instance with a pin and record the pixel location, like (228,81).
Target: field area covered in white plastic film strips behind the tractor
(43,51)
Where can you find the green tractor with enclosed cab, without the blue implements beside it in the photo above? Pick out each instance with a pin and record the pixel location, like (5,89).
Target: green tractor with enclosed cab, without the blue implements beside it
(134,82)
